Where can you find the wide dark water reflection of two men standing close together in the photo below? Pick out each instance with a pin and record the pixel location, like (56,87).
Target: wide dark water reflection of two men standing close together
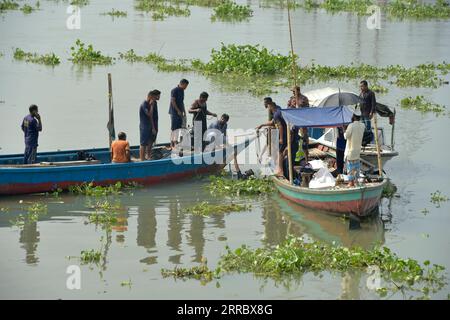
(146,232)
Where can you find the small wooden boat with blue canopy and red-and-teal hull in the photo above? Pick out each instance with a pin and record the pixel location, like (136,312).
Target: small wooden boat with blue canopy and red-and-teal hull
(341,199)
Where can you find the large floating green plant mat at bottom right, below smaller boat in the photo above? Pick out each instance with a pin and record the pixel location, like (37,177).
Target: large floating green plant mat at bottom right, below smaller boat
(296,256)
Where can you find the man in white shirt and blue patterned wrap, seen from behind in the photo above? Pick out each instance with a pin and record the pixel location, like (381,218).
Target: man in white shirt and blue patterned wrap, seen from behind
(354,135)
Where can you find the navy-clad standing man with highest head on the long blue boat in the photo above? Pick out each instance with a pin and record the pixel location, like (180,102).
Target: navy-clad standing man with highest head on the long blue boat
(176,109)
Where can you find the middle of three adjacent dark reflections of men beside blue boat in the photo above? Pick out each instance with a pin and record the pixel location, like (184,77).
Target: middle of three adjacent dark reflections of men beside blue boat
(175,227)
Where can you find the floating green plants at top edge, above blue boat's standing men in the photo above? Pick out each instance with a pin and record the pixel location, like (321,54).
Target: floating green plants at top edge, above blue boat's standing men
(162,9)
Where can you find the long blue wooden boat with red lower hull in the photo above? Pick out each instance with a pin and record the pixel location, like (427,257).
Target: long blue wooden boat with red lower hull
(61,169)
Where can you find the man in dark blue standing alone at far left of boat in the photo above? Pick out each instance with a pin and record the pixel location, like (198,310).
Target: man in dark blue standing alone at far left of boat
(31,126)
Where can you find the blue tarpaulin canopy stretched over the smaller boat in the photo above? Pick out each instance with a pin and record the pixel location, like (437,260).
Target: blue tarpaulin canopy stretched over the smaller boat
(326,117)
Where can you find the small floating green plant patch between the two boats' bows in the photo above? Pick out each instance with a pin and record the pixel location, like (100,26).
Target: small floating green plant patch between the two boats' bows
(220,185)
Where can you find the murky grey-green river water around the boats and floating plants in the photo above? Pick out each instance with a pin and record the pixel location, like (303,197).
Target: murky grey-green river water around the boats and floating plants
(153,231)
